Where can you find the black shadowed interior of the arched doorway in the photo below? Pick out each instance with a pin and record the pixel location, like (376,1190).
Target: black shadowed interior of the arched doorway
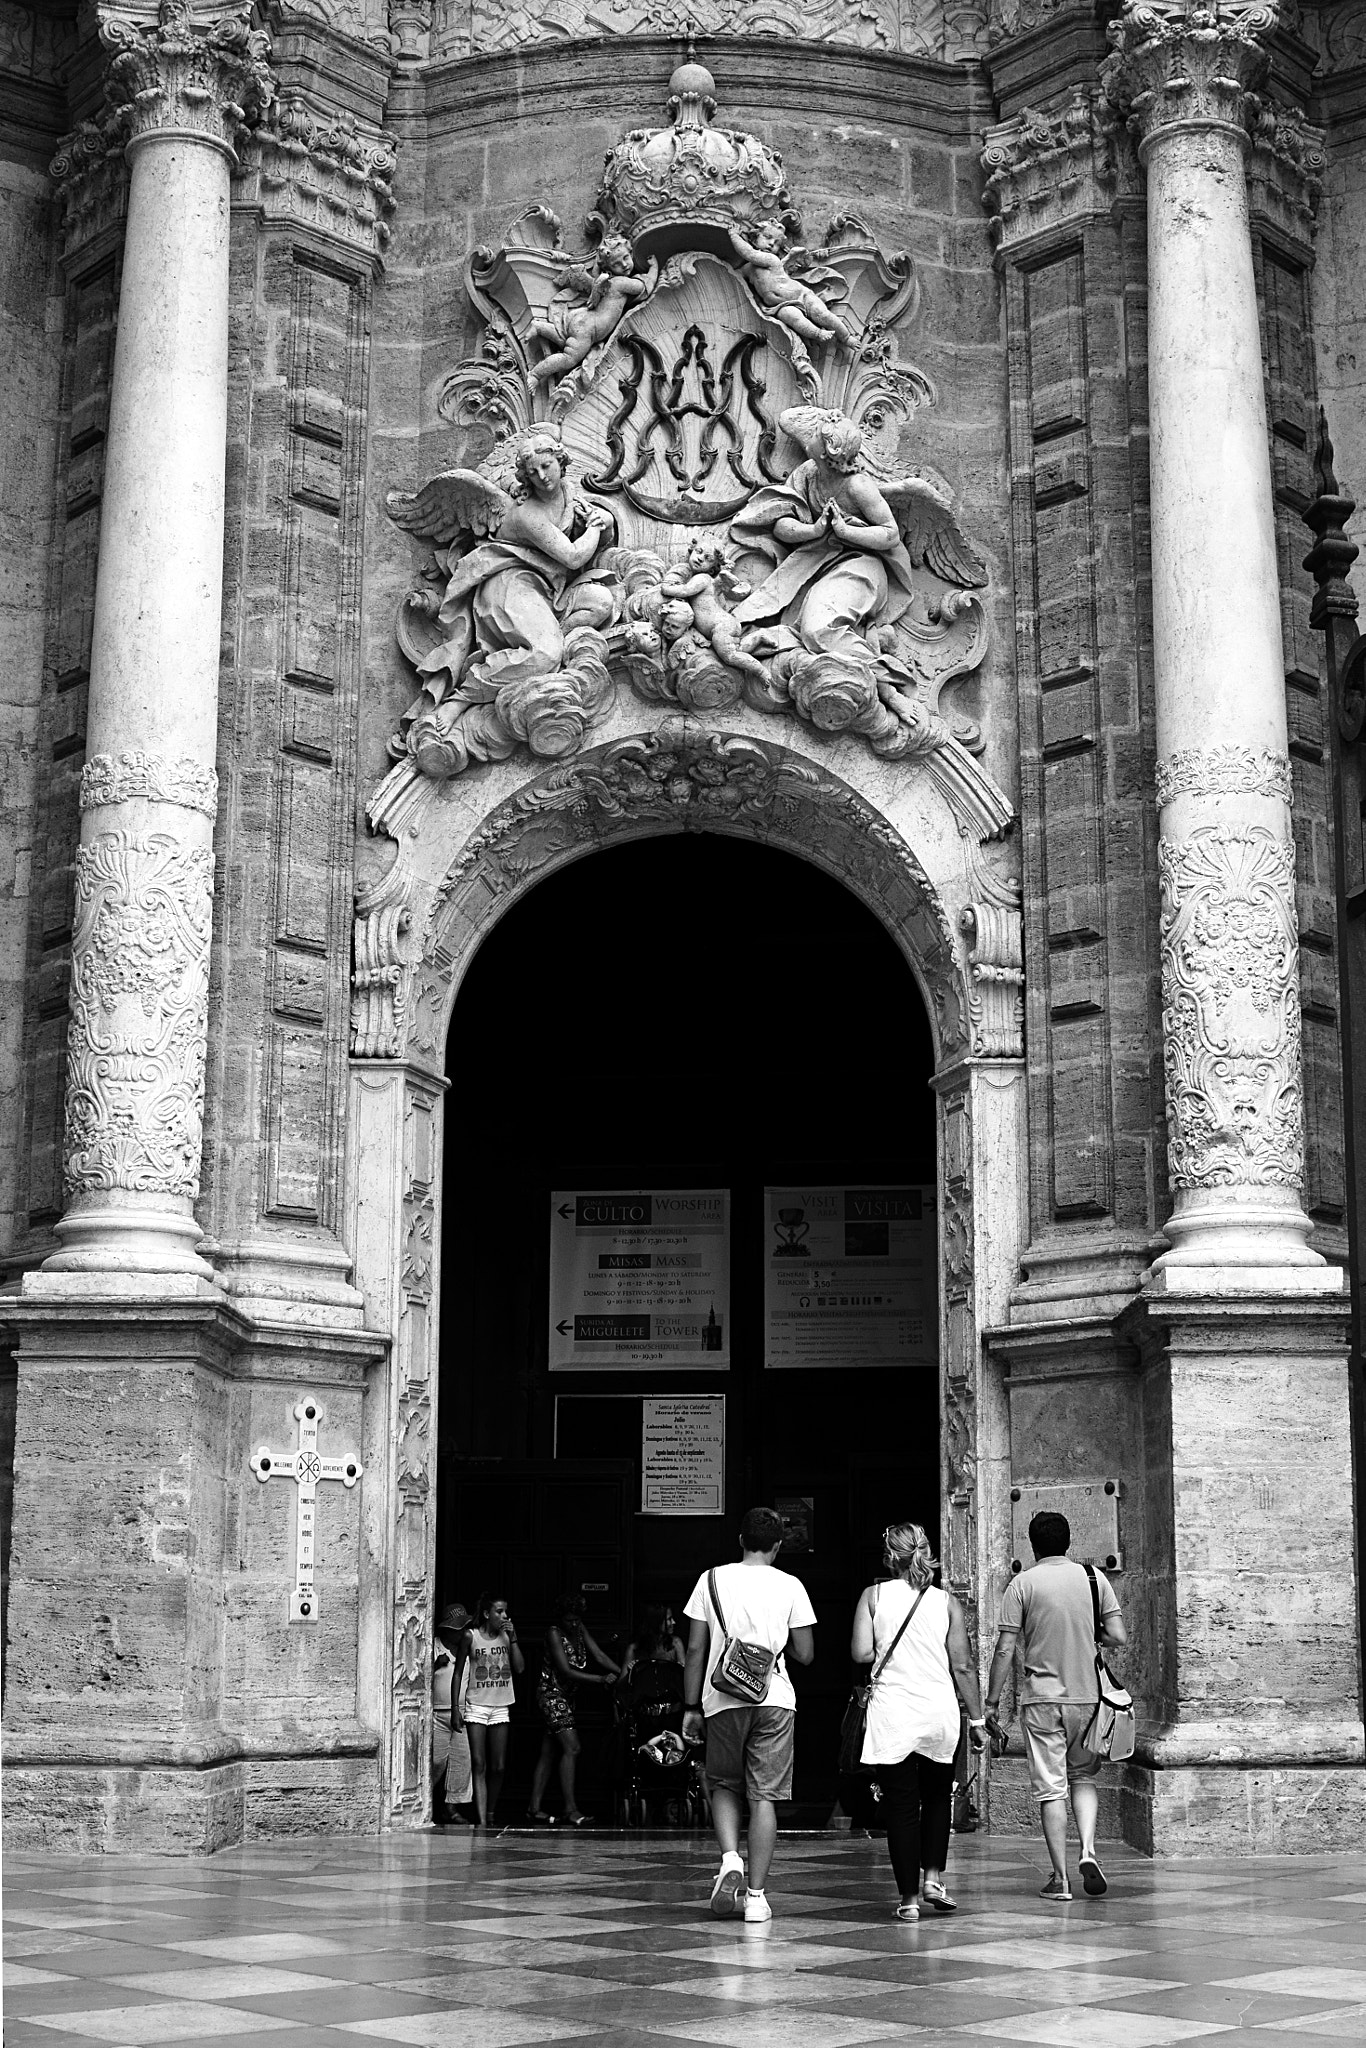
(683,1013)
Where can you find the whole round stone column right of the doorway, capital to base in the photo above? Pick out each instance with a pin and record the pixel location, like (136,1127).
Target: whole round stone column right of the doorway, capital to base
(1230,953)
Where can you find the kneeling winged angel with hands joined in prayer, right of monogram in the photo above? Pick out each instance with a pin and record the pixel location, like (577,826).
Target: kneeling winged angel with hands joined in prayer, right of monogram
(845,548)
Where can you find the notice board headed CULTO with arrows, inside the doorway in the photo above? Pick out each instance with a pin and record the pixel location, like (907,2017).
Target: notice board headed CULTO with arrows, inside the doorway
(642,1279)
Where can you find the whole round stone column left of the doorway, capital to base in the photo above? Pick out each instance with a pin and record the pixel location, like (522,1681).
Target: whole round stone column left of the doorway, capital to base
(144,878)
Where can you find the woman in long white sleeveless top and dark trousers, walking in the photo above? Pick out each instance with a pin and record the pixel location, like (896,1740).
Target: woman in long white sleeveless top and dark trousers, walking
(912,1730)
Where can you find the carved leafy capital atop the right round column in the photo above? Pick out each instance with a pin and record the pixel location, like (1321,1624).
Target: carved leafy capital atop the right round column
(1187,65)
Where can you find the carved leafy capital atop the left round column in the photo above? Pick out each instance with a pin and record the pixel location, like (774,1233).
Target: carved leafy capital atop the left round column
(173,79)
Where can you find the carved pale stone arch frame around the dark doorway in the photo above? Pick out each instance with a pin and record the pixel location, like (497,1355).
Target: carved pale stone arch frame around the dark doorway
(417,933)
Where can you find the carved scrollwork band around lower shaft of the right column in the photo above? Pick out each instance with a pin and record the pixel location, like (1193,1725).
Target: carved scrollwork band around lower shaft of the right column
(1232,1009)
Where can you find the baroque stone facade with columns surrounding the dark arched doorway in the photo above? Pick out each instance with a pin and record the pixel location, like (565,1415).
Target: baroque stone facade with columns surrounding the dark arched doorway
(605,421)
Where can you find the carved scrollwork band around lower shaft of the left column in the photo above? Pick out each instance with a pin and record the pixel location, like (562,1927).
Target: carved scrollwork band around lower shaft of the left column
(140,1015)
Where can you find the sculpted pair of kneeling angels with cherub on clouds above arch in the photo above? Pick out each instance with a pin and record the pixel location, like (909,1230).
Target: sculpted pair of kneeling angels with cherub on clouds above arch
(812,605)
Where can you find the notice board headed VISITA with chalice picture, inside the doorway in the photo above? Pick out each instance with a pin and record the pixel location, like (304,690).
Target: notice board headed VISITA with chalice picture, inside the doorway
(851,1277)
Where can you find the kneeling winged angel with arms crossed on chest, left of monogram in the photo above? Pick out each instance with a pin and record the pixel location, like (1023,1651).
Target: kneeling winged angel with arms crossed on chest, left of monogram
(521,650)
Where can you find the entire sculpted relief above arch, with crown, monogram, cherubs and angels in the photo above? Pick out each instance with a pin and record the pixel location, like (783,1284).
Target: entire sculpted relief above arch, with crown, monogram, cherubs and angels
(685,439)
